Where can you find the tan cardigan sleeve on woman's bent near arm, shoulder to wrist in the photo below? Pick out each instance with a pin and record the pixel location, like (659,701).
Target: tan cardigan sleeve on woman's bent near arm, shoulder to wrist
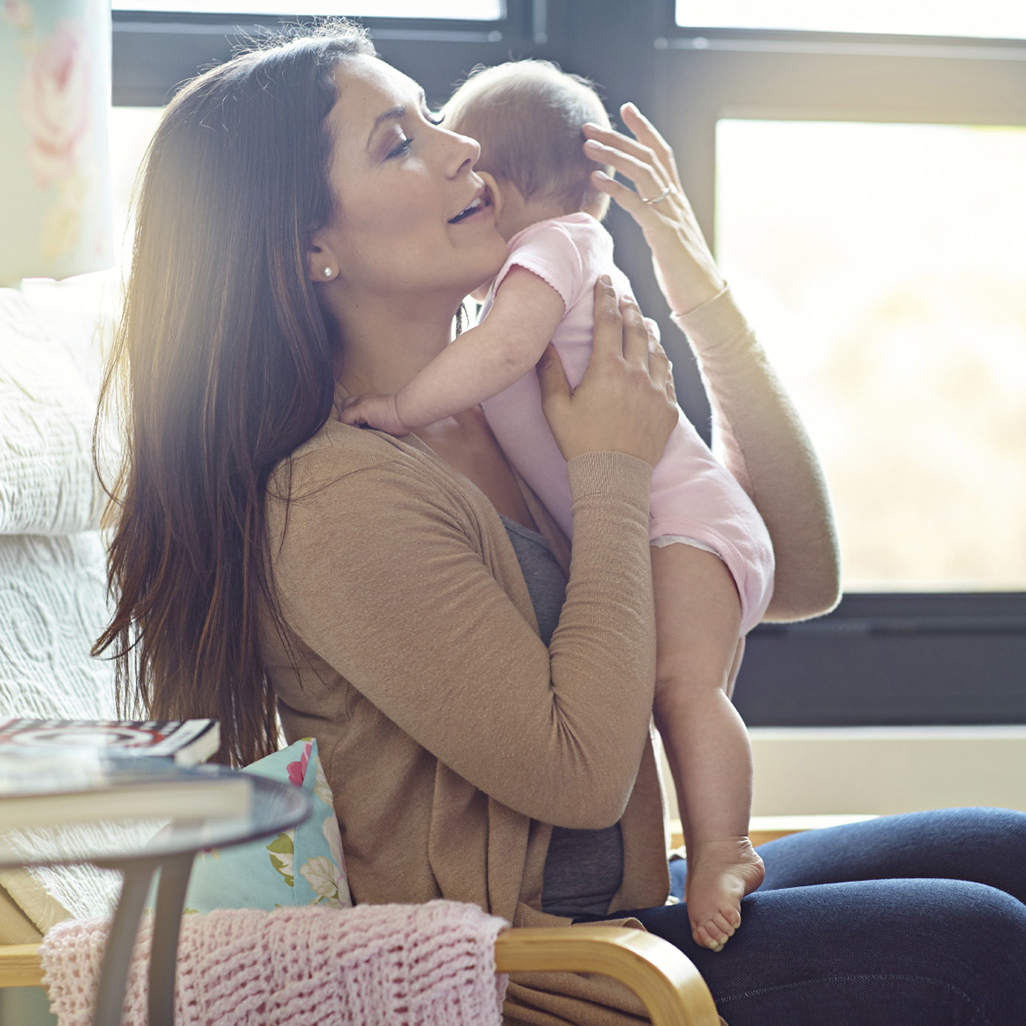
(385,575)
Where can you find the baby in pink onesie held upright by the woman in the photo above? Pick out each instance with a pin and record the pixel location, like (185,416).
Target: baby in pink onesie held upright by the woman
(713,560)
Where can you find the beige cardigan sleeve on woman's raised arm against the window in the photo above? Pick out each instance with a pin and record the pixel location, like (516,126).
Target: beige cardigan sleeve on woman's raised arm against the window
(760,437)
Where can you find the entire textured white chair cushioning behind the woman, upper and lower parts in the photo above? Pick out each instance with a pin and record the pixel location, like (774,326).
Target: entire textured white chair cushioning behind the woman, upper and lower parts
(53,563)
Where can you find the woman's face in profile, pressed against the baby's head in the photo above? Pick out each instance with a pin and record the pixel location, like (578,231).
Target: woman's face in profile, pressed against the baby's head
(412,216)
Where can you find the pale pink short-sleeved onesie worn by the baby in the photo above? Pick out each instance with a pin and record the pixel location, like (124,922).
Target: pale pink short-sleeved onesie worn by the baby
(694,497)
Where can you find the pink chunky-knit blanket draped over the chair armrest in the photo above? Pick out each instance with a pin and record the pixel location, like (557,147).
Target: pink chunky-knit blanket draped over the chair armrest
(428,965)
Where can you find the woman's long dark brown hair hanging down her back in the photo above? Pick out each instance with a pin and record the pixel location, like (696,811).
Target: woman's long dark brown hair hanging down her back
(222,366)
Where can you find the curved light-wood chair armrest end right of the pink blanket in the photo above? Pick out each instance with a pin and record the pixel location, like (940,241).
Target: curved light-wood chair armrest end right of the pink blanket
(664,978)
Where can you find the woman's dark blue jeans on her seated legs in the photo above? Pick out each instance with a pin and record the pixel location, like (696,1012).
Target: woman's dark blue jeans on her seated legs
(904,921)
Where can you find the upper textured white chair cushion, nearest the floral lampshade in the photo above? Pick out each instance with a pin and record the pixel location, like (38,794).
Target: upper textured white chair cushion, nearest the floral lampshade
(48,406)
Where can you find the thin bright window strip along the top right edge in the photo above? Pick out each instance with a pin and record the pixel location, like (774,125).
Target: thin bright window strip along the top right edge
(990,19)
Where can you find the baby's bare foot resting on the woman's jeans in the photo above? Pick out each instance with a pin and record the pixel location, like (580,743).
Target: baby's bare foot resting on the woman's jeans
(720,875)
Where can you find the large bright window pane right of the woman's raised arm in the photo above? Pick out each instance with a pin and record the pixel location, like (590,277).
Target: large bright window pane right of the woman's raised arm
(886,268)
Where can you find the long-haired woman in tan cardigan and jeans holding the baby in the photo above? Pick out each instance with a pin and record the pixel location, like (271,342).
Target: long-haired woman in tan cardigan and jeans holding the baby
(307,231)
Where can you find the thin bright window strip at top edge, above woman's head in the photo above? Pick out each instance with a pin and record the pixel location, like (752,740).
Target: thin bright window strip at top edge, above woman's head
(477,11)
